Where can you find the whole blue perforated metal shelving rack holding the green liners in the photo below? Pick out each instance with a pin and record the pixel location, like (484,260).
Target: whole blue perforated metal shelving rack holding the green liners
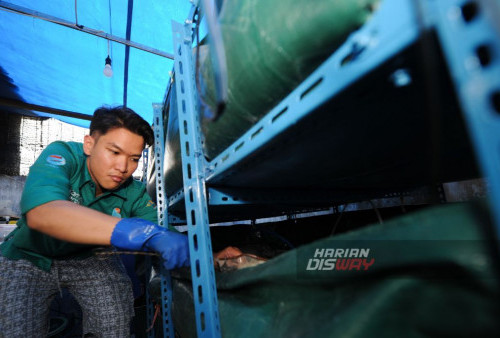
(469,37)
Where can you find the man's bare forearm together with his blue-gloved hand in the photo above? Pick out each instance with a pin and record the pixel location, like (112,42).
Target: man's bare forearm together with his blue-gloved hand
(73,223)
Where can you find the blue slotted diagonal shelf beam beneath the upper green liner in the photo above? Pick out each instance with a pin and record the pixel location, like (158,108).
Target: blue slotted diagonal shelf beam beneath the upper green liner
(394,28)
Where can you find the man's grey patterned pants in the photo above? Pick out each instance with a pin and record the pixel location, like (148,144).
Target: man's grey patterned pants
(100,285)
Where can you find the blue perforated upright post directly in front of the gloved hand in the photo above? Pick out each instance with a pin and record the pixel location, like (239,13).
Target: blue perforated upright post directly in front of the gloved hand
(193,167)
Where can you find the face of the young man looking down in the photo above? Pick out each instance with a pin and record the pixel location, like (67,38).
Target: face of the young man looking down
(112,157)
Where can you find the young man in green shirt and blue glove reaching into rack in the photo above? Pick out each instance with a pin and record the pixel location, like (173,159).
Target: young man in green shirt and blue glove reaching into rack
(77,197)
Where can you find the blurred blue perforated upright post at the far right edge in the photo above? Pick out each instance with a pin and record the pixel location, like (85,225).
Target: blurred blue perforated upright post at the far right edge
(469,35)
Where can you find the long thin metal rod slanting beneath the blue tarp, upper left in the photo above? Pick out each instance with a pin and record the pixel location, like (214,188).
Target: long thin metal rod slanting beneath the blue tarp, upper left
(68,24)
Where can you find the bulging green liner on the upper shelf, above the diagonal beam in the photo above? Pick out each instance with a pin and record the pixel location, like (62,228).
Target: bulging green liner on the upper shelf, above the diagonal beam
(271,47)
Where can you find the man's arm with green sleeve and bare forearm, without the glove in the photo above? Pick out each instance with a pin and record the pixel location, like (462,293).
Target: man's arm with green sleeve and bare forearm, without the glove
(46,199)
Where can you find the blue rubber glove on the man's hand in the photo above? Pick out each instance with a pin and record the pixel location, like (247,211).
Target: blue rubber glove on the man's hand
(141,235)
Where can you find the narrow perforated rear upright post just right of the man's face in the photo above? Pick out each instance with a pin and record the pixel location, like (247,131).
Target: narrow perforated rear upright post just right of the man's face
(166,282)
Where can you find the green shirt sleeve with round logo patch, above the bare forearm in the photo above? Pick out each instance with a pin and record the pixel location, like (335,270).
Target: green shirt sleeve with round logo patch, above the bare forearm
(49,177)
